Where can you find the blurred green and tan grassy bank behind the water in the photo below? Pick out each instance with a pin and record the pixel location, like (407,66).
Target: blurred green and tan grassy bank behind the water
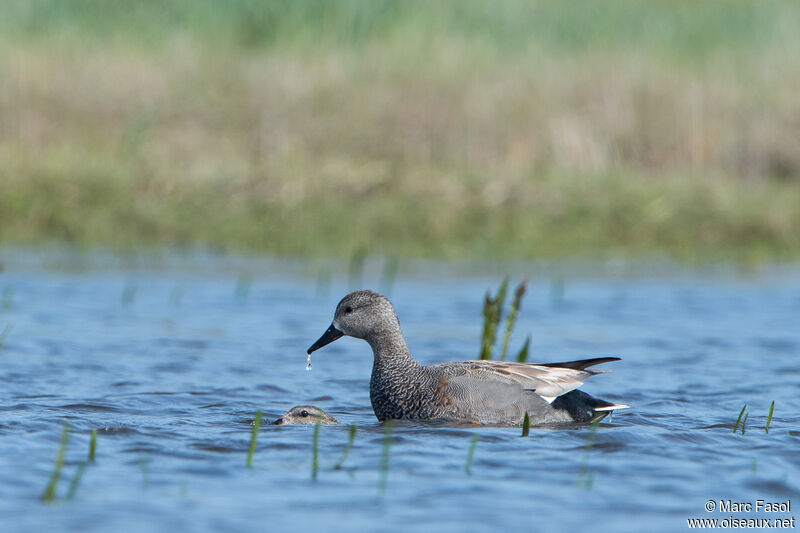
(429,129)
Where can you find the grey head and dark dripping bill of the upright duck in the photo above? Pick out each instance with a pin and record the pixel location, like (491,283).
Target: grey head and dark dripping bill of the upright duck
(360,314)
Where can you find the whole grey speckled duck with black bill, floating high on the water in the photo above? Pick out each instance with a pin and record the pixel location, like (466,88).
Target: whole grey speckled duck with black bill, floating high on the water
(483,392)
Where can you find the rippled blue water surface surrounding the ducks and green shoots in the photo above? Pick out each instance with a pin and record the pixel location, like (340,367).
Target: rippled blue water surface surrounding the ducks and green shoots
(170,365)
